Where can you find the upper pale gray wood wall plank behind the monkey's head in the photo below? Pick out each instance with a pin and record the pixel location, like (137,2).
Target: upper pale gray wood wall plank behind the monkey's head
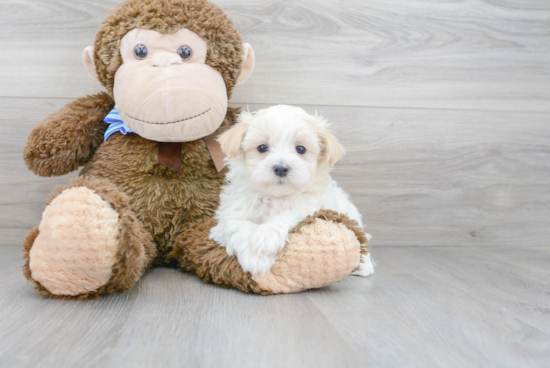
(489,55)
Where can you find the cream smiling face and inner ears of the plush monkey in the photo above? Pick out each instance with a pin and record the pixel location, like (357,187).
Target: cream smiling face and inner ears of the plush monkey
(164,91)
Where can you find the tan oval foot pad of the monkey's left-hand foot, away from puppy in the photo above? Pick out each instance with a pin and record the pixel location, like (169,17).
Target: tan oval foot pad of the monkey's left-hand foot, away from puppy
(76,248)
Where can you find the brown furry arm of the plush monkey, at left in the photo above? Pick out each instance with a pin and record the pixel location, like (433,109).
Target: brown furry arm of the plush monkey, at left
(68,138)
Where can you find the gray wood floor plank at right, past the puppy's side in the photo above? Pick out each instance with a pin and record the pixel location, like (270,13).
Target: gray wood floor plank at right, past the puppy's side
(444,300)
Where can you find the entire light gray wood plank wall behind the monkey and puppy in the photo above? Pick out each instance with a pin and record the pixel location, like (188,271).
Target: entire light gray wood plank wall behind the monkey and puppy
(443,106)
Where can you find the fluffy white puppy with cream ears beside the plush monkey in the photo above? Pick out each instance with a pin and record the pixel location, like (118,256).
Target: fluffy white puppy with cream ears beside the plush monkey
(279,160)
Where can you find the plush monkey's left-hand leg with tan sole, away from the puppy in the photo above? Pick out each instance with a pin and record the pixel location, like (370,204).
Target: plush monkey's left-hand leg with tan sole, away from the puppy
(88,243)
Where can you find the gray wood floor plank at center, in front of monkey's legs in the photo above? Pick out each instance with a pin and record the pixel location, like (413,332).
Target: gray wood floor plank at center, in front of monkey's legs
(226,336)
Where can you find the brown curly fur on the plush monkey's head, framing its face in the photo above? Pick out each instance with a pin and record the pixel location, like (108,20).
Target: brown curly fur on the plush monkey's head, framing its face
(210,22)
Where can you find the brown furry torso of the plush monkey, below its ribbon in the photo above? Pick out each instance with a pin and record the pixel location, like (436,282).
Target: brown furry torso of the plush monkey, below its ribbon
(166,201)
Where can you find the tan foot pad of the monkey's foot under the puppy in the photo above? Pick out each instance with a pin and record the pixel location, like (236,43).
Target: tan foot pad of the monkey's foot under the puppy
(320,254)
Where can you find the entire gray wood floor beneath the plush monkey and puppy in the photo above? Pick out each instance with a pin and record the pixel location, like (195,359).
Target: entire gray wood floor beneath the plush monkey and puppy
(424,307)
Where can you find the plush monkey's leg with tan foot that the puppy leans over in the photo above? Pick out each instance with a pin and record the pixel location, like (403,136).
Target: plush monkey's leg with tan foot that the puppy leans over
(322,250)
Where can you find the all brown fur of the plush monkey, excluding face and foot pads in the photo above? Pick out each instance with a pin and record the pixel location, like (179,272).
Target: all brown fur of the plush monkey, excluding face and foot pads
(162,212)
